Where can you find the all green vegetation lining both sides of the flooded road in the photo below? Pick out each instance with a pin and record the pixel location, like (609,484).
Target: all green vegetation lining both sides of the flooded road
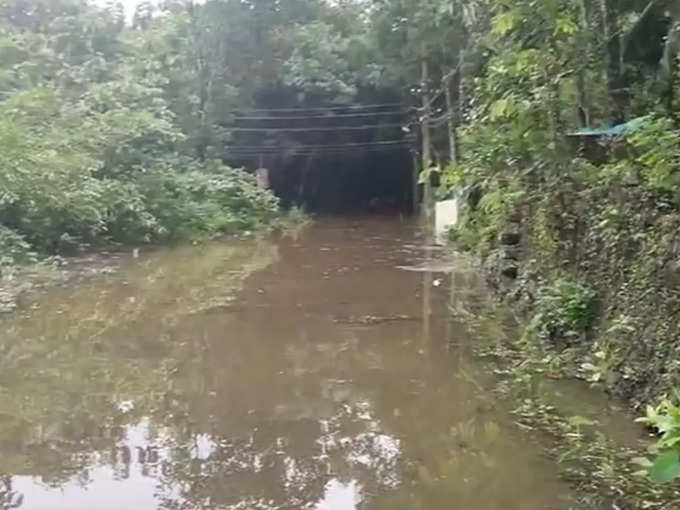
(554,121)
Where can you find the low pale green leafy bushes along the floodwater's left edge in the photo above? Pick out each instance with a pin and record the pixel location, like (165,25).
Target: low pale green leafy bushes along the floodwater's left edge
(74,179)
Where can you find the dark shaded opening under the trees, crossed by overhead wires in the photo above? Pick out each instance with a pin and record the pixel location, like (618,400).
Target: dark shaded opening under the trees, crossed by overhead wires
(329,158)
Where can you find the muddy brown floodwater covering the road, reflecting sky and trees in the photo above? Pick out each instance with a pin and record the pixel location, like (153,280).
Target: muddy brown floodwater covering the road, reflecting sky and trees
(323,372)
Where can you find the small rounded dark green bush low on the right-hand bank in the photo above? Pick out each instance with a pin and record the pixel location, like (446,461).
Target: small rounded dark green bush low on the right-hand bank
(565,311)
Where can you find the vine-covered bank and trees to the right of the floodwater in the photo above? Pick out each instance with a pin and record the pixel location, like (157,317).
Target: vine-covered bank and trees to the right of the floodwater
(602,211)
